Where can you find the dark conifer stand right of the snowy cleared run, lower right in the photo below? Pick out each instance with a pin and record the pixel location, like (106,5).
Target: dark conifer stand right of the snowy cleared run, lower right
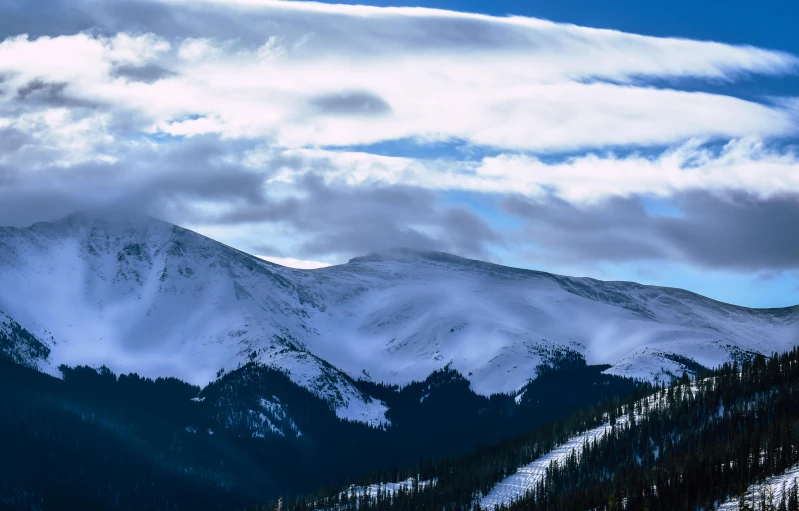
(706,444)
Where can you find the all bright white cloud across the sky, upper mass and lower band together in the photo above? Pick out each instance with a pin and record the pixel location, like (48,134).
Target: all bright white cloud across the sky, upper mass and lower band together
(519,85)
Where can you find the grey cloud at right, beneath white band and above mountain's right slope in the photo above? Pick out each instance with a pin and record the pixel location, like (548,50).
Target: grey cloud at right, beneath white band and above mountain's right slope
(734,231)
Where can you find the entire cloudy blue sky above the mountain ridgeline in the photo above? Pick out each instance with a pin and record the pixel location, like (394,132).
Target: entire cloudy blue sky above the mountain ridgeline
(620,140)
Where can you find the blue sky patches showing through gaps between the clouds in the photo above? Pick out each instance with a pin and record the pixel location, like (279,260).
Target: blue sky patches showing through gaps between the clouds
(768,24)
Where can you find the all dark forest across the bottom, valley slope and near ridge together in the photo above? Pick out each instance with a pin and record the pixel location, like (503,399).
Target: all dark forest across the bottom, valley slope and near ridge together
(94,440)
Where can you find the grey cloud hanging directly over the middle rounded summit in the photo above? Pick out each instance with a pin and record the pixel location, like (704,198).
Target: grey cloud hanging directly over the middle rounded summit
(350,221)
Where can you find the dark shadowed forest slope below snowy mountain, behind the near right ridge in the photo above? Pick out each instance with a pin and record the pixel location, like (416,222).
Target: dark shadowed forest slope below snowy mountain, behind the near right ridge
(93,439)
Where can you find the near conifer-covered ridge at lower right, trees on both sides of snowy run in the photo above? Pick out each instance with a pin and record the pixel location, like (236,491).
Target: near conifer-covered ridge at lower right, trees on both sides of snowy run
(690,446)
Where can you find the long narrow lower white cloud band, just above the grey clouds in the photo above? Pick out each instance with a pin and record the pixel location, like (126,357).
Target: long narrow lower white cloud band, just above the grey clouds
(745,164)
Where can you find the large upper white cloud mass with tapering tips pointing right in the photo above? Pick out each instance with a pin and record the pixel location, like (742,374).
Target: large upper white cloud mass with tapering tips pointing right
(511,83)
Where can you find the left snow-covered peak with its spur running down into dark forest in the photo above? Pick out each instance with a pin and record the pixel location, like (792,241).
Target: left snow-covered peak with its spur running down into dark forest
(149,297)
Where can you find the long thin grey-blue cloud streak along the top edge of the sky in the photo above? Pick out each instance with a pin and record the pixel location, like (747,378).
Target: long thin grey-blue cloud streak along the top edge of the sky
(377,35)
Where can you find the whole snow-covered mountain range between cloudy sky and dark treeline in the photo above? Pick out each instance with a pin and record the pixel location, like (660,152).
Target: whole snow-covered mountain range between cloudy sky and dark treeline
(141,295)
